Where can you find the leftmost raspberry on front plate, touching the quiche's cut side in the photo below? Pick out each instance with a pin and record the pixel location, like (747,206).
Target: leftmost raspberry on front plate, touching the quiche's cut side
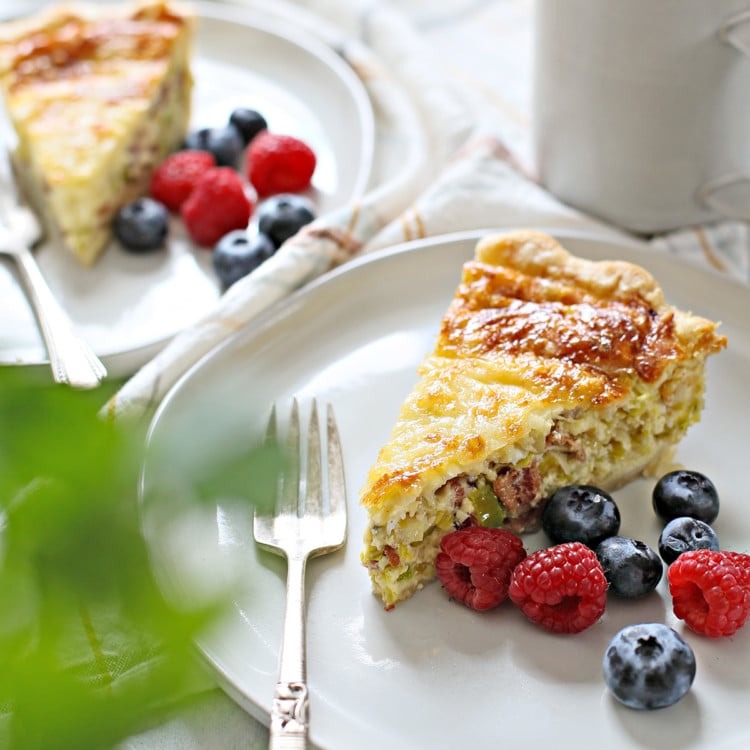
(476,563)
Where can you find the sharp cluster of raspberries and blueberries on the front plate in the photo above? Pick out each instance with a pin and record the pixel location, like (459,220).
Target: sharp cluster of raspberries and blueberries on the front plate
(564,587)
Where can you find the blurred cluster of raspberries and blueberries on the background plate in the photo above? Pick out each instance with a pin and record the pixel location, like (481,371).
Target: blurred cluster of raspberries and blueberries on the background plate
(215,191)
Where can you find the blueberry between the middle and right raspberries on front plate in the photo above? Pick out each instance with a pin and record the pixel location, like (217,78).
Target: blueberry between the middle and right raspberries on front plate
(632,568)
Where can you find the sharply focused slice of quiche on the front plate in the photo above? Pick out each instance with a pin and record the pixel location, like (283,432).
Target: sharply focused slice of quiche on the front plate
(548,370)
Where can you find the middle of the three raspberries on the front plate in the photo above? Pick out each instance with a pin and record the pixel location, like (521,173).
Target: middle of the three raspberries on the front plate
(562,588)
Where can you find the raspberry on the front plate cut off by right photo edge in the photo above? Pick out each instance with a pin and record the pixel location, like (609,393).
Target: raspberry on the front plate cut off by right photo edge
(711,591)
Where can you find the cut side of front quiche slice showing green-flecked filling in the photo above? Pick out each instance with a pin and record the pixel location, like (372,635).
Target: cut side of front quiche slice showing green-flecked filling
(577,449)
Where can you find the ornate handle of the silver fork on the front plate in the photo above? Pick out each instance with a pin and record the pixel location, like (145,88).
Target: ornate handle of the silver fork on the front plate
(289,713)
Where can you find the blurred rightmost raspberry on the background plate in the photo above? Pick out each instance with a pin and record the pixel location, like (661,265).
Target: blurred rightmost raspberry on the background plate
(279,164)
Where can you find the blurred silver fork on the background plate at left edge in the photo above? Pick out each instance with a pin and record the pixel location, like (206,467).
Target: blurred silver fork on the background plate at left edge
(72,360)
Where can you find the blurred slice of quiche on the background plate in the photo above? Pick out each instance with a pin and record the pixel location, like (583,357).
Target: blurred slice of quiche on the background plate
(98,95)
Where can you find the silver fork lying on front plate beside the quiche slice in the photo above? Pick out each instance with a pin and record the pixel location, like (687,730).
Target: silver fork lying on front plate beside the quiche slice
(301,526)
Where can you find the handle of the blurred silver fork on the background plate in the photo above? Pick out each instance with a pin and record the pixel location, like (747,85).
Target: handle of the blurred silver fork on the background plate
(71,359)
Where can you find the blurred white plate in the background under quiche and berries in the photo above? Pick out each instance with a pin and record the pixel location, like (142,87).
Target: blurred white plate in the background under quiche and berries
(127,307)
